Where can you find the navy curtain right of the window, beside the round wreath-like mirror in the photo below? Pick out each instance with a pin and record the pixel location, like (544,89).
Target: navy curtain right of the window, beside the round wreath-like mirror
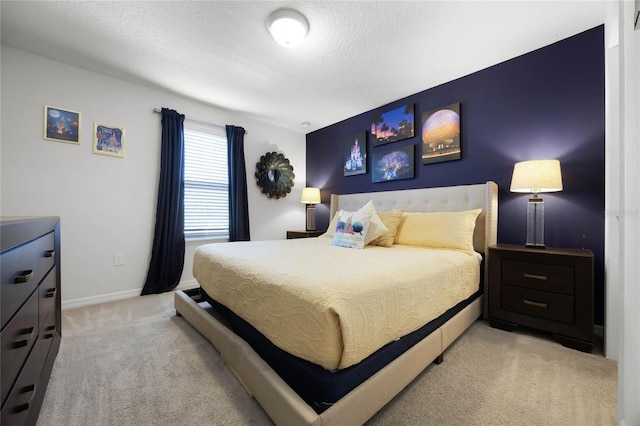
(238,204)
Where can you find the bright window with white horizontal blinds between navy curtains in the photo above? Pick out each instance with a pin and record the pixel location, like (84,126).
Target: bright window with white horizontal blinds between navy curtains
(206,182)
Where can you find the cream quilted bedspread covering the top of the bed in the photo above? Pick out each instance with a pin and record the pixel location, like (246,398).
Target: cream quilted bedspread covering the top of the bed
(330,305)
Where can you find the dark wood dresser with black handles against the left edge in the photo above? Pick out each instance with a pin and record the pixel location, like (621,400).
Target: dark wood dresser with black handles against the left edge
(30,313)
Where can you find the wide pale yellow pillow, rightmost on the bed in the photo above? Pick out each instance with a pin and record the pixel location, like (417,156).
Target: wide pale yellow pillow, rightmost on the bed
(452,230)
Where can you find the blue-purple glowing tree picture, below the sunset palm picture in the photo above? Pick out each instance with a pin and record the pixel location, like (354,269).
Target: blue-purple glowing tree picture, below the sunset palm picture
(393,164)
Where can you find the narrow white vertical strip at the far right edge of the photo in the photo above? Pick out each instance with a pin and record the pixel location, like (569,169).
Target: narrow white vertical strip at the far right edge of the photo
(629,175)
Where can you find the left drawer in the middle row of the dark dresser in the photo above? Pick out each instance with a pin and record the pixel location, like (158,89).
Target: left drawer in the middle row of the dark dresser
(17,340)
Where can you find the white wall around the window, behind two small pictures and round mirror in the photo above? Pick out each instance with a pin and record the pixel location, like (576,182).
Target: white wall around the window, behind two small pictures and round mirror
(106,204)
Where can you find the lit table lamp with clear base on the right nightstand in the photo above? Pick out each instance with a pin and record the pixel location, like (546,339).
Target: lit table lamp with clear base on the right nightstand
(535,177)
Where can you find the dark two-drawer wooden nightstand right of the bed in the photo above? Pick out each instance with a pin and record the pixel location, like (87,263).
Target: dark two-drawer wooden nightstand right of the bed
(547,289)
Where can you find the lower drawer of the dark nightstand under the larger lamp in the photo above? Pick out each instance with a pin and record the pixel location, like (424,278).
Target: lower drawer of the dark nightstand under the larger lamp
(556,307)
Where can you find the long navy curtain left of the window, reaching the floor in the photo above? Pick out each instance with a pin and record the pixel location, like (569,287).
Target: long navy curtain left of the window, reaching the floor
(167,253)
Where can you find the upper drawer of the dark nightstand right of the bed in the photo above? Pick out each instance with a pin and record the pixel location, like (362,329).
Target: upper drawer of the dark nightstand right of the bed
(538,276)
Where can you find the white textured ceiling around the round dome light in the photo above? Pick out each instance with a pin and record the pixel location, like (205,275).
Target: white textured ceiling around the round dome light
(358,55)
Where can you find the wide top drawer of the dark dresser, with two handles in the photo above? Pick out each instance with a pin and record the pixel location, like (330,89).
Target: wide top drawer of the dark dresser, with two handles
(22,268)
